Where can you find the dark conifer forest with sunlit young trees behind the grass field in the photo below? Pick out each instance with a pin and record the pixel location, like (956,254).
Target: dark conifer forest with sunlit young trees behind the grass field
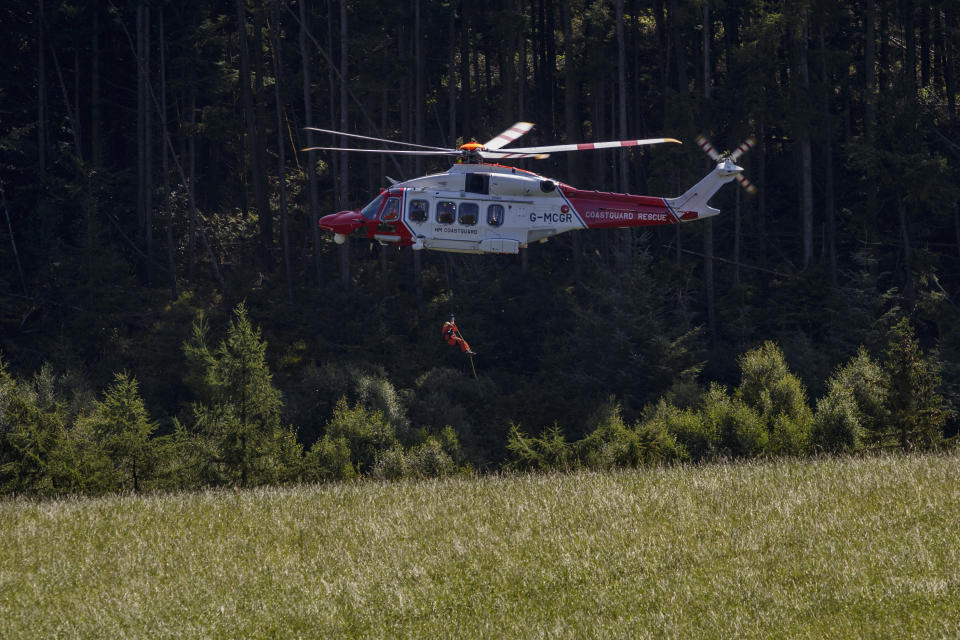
(172,316)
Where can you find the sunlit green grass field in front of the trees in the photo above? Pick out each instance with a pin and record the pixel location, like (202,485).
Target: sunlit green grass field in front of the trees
(862,547)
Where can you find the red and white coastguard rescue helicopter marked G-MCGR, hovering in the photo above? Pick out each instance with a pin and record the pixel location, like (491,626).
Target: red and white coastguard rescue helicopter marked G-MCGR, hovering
(478,207)
